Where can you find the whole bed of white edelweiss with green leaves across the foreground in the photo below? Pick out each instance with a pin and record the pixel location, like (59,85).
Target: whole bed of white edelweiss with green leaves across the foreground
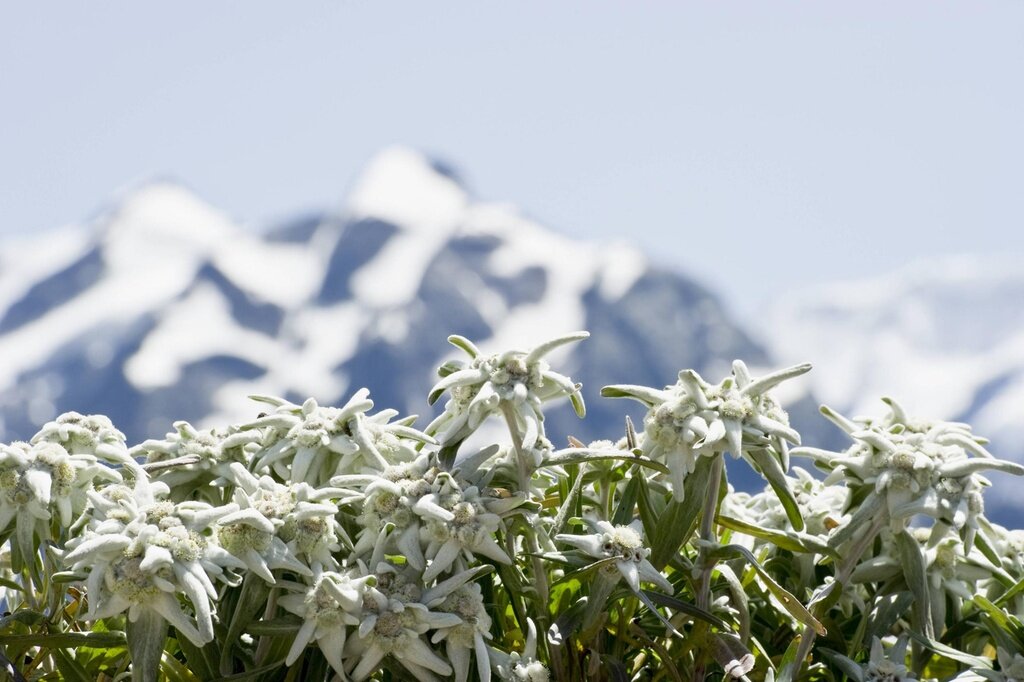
(322,543)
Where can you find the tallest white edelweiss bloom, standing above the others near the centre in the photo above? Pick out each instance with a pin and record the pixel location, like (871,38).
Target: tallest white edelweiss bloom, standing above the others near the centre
(517,380)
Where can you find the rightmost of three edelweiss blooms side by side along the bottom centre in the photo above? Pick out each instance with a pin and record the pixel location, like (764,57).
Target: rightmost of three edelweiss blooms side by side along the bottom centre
(467,638)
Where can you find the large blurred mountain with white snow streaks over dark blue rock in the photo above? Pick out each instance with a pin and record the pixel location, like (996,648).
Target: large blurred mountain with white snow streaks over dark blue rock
(163,309)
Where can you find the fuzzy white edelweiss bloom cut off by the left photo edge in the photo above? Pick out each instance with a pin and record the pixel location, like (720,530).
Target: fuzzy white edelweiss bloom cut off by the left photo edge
(38,481)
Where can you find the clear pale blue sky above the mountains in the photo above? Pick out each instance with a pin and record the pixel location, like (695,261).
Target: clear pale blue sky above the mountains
(760,146)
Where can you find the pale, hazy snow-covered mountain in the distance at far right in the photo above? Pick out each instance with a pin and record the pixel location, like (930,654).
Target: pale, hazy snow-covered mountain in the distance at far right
(945,337)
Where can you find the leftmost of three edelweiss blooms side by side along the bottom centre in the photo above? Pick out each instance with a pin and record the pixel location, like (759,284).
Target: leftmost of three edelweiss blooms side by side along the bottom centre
(332,606)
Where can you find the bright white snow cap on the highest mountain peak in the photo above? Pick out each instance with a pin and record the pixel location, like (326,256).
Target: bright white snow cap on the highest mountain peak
(406,188)
